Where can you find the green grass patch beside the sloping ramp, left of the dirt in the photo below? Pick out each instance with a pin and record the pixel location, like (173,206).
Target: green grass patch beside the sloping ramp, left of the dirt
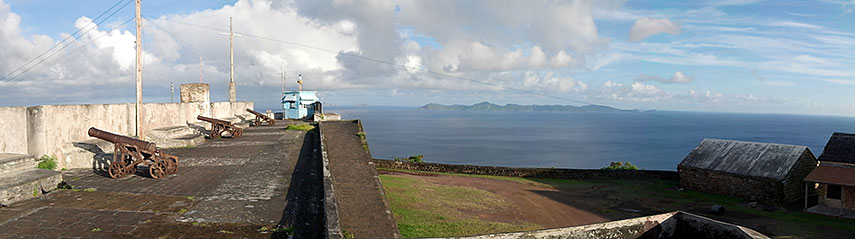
(425,209)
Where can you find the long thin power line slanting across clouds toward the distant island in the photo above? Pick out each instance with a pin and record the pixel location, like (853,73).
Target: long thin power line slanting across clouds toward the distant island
(414,68)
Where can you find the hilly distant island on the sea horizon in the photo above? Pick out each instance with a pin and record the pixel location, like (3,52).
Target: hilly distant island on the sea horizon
(487,106)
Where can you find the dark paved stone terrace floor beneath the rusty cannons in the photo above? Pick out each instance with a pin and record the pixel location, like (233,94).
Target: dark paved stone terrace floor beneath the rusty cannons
(262,185)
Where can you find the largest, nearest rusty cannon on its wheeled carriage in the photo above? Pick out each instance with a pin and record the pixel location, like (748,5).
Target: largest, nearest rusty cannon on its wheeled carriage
(130,152)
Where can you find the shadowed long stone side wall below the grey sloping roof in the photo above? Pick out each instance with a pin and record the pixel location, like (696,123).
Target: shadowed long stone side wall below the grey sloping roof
(750,188)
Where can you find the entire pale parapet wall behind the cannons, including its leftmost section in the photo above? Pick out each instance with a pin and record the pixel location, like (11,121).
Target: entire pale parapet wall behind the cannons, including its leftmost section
(45,129)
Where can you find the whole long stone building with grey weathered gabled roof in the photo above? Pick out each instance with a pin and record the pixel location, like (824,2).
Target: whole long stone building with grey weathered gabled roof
(765,172)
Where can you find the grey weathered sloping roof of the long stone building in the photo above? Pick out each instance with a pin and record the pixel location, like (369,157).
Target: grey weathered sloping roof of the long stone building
(745,158)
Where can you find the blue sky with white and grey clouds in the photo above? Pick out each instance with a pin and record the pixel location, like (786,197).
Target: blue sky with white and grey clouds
(793,57)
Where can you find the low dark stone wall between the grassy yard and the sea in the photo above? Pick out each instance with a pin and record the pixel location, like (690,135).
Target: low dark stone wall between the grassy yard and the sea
(561,173)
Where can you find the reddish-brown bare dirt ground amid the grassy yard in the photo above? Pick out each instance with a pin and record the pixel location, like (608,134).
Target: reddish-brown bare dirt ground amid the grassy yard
(530,205)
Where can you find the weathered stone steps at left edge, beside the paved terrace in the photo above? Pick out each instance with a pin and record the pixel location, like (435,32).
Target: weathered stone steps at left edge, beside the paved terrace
(21,180)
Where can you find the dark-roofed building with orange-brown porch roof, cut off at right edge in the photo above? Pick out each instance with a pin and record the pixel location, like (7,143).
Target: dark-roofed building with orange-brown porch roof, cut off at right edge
(834,178)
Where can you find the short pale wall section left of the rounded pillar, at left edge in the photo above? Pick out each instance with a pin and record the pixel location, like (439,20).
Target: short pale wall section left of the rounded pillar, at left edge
(13,127)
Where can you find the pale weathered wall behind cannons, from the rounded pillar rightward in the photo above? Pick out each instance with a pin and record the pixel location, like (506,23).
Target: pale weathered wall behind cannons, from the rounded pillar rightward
(50,127)
